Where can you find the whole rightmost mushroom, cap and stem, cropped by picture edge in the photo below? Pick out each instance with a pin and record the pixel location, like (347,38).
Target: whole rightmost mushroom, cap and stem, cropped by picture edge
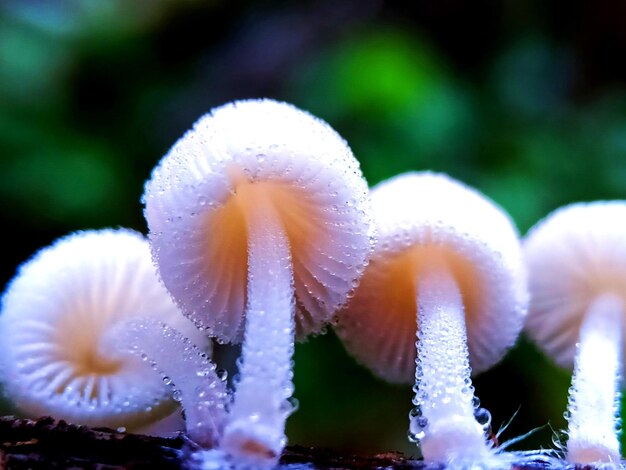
(576,261)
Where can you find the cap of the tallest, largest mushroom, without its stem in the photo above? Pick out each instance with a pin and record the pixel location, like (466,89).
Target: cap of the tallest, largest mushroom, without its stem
(200,194)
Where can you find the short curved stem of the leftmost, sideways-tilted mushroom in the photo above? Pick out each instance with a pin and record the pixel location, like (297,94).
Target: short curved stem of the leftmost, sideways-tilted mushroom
(187,369)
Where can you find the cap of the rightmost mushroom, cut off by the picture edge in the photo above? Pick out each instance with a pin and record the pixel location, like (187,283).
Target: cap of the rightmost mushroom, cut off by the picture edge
(573,255)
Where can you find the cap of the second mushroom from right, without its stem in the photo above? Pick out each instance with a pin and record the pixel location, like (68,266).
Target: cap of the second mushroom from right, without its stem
(426,220)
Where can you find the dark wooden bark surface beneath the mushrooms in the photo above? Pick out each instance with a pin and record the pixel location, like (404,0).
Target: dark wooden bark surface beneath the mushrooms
(49,444)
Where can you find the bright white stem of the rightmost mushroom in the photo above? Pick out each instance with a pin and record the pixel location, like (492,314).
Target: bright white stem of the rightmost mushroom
(594,396)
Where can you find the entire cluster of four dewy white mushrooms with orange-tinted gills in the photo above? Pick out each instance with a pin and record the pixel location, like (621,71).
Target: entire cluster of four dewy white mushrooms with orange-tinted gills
(263,230)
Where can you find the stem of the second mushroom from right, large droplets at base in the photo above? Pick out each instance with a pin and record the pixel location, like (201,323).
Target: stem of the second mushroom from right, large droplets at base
(443,422)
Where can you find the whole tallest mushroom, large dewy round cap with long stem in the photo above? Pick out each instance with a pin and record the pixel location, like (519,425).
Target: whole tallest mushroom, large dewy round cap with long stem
(258,221)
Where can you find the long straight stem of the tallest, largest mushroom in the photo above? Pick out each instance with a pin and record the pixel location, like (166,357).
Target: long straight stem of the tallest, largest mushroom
(256,428)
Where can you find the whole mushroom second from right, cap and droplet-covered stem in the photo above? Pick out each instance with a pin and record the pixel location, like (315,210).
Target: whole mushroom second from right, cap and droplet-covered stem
(449,257)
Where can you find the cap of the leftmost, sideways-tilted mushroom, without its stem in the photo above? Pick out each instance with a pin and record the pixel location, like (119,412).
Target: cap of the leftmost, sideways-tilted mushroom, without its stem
(56,314)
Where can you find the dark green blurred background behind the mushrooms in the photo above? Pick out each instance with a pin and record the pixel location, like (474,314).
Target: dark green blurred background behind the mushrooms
(525,100)
